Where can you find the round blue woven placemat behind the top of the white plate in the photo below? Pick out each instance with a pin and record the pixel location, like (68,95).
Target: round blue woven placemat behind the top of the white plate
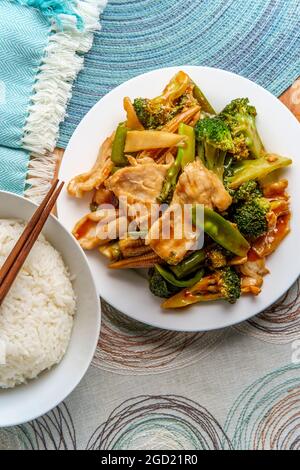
(259,39)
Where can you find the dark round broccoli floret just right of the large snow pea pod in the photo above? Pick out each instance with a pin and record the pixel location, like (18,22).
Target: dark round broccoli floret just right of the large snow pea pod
(251,217)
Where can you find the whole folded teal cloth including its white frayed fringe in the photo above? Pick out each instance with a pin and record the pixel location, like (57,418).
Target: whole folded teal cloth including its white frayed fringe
(42,43)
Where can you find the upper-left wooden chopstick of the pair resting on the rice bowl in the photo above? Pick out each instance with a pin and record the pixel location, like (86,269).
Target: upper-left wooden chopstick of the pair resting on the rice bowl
(23,238)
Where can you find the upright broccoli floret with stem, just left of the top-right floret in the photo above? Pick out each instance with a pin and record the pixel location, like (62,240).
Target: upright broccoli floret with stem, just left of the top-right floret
(214,141)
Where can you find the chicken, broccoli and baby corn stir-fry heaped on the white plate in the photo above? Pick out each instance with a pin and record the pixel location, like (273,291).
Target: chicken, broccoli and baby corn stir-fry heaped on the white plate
(175,151)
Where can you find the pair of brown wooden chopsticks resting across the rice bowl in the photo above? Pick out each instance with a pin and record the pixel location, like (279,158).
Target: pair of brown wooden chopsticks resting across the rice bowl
(22,248)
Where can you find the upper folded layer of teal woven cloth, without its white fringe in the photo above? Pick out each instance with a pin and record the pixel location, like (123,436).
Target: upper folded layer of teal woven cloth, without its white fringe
(22,42)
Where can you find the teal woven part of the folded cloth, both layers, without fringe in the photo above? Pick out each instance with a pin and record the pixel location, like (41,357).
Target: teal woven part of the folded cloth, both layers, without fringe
(23,38)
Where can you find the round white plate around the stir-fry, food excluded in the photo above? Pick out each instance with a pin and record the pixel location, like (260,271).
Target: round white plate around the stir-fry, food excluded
(127,290)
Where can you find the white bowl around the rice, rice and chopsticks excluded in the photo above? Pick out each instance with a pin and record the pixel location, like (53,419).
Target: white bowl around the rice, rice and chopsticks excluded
(26,402)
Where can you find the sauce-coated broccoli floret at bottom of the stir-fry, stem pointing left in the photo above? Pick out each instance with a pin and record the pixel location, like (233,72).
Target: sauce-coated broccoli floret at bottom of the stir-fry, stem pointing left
(222,284)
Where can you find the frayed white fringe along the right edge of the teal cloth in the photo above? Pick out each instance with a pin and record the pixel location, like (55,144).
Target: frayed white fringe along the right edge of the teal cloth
(61,63)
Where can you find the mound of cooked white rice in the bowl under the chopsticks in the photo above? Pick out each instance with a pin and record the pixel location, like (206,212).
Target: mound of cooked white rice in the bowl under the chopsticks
(36,317)
